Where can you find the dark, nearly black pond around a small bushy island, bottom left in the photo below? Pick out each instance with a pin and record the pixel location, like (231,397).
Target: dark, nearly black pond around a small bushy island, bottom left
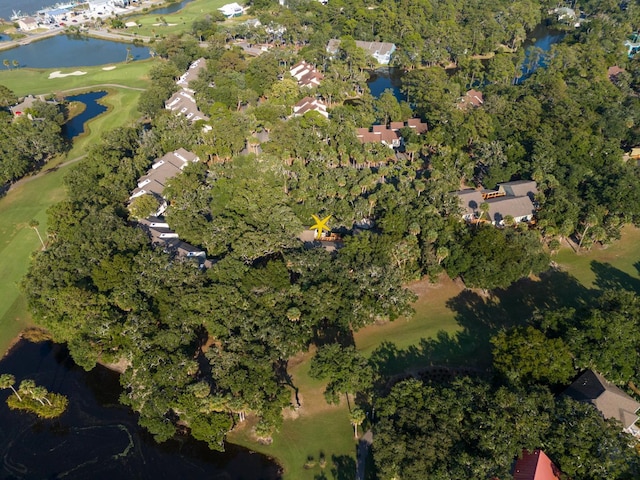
(97,438)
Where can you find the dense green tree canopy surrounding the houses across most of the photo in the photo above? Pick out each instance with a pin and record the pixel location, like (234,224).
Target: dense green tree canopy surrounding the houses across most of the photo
(202,349)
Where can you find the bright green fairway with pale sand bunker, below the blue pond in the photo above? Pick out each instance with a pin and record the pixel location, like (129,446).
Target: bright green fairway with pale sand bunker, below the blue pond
(23,81)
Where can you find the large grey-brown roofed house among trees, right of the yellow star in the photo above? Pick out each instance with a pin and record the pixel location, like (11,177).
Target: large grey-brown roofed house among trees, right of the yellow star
(512,199)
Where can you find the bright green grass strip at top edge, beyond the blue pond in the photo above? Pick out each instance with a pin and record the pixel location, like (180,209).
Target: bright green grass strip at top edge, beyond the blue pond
(152,25)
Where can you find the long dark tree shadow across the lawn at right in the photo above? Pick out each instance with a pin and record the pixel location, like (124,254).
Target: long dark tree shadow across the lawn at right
(480,318)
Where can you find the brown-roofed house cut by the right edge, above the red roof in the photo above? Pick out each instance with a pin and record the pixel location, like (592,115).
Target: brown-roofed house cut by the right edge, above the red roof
(593,388)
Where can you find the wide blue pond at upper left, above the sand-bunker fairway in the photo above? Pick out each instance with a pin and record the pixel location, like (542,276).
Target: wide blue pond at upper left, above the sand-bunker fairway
(66,51)
